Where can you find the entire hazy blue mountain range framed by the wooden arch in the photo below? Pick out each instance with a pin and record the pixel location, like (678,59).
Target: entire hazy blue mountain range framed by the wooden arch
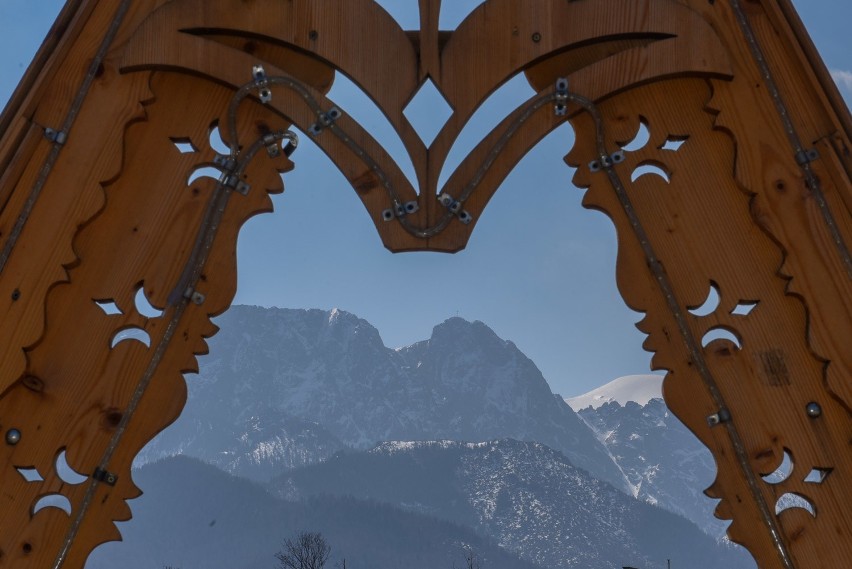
(309,399)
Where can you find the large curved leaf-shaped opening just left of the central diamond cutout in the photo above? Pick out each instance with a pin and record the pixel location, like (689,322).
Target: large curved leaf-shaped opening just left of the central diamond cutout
(354,101)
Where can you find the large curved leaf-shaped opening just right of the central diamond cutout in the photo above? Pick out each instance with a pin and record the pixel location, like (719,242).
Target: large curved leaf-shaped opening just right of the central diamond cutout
(511,95)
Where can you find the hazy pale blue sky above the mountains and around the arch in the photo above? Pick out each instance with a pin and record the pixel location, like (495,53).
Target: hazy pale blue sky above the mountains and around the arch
(539,268)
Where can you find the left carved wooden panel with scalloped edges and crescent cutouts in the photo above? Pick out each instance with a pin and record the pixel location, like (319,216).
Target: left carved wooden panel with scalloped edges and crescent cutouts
(119,293)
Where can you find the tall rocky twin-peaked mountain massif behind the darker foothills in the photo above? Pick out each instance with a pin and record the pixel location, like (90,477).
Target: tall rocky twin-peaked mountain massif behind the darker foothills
(282,388)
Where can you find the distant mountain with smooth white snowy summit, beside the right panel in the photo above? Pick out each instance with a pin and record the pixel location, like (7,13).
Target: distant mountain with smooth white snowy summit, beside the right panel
(665,464)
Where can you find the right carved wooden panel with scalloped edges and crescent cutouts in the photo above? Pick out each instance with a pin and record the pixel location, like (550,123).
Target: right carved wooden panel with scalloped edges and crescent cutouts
(753,335)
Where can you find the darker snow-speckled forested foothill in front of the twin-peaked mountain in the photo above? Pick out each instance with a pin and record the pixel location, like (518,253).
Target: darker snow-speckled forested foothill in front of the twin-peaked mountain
(525,496)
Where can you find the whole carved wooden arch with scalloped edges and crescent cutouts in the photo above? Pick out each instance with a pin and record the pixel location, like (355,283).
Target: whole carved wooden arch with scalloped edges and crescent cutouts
(100,216)
